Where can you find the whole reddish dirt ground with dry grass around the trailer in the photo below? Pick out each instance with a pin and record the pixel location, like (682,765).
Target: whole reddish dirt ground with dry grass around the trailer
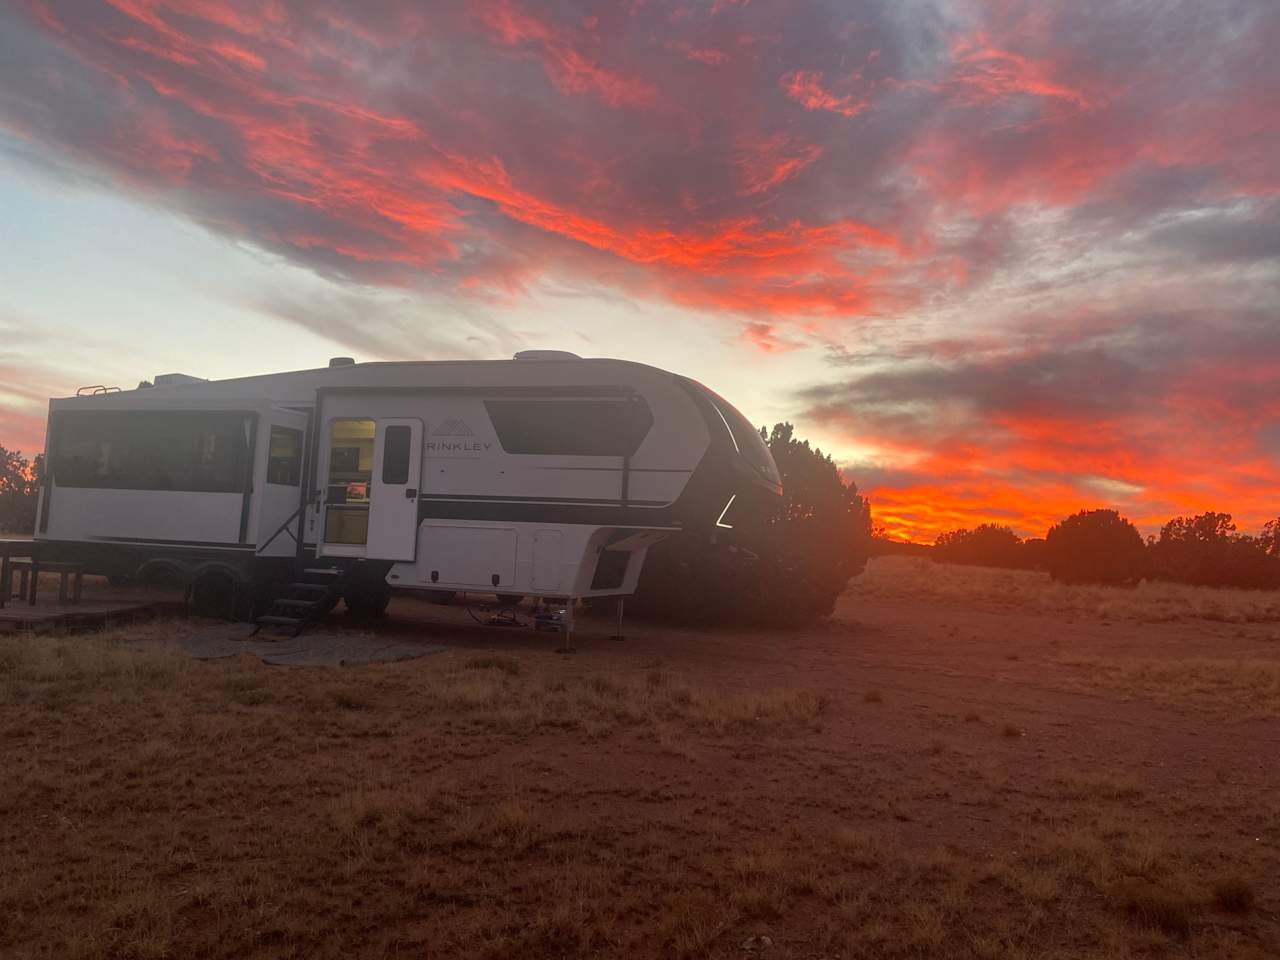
(957,765)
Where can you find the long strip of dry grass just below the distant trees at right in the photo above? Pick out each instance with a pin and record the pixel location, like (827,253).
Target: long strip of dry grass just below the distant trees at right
(922,580)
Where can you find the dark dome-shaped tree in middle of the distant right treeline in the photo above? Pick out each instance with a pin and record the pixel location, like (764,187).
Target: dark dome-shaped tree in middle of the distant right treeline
(1096,547)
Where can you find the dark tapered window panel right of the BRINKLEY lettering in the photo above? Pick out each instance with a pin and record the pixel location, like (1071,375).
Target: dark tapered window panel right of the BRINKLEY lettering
(578,428)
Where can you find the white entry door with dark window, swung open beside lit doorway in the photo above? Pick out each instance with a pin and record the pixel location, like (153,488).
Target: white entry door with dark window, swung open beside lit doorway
(394,490)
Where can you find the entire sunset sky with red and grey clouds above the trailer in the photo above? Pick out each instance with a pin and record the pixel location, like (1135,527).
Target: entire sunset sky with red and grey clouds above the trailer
(1004,260)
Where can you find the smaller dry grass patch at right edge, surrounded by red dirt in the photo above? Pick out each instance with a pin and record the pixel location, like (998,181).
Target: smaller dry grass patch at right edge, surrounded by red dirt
(1241,685)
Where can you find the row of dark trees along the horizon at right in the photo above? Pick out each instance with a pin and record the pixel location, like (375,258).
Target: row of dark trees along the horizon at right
(1101,547)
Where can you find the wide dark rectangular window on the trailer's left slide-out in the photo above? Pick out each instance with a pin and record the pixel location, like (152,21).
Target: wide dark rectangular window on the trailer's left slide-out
(202,452)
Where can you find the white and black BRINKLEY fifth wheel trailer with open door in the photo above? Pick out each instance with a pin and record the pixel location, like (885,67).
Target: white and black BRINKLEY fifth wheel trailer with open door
(546,476)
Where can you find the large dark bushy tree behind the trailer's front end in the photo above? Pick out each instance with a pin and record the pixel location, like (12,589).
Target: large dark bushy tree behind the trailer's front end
(783,565)
